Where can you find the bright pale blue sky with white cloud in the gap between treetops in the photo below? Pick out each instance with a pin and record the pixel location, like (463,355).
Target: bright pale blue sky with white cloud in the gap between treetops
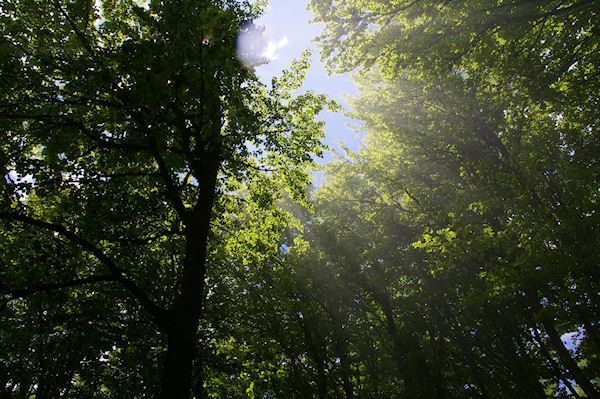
(288,32)
